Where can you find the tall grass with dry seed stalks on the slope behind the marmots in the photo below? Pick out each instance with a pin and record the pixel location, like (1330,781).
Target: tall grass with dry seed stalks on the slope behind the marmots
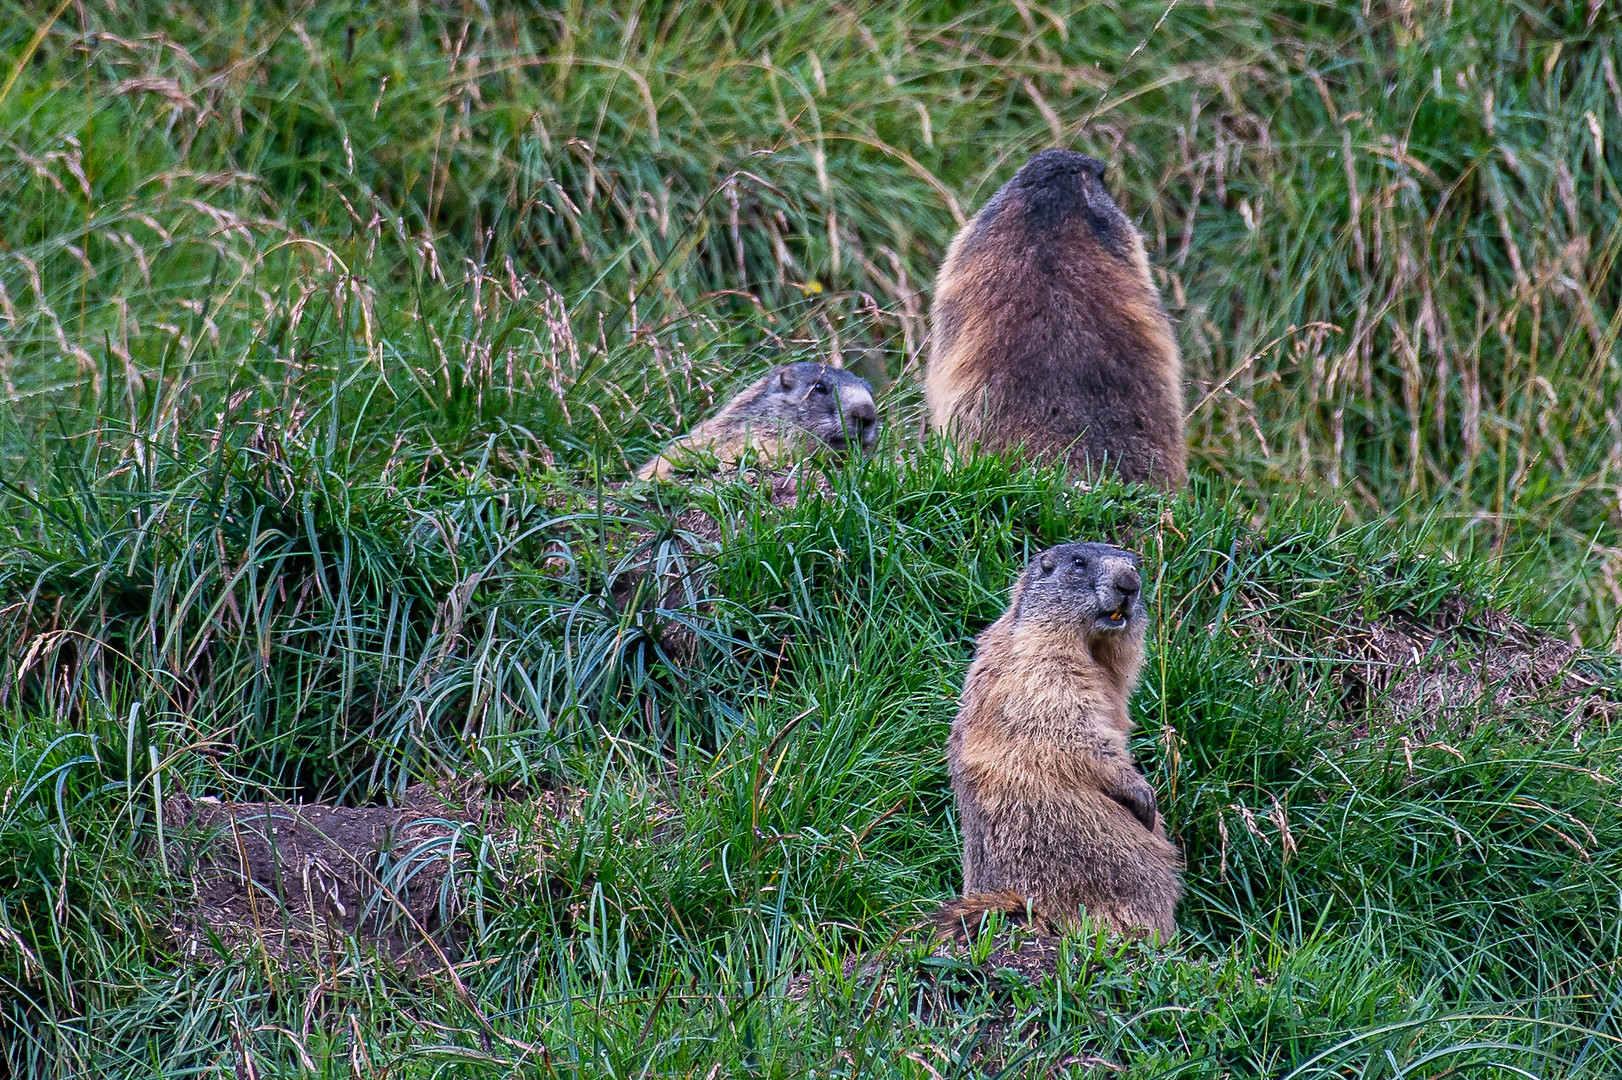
(1389,236)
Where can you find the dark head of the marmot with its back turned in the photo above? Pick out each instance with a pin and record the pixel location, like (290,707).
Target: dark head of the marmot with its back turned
(1057,191)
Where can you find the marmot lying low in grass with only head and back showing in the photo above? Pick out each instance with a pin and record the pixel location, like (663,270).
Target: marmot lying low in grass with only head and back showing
(791,411)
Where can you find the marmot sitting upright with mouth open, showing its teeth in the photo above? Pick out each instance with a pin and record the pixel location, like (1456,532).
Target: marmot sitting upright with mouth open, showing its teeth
(1053,813)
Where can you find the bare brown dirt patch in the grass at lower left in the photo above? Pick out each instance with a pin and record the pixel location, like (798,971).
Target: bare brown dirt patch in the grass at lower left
(303,880)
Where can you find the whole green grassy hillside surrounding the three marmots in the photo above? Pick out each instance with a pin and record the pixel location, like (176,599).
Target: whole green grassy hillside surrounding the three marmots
(328,336)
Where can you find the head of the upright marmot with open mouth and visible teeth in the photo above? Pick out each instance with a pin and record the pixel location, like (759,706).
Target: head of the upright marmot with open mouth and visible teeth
(1089,589)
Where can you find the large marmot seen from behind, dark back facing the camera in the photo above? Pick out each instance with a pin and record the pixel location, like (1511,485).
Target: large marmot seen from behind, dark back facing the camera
(1049,333)
